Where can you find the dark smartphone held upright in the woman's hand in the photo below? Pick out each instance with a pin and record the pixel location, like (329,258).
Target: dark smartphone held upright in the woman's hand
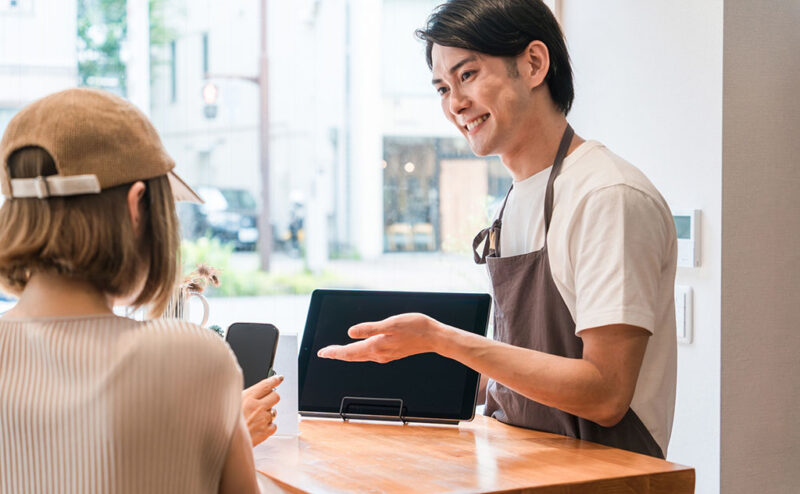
(254,345)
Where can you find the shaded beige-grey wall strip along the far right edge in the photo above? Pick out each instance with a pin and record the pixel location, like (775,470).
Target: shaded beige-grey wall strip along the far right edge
(760,440)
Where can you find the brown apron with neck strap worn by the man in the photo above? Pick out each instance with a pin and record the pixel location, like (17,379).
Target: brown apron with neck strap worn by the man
(530,313)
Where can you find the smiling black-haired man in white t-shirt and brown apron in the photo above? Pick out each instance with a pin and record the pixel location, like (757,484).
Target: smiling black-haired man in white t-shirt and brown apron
(582,254)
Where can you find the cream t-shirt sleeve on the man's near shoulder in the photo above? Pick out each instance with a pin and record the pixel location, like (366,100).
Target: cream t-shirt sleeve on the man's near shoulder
(617,242)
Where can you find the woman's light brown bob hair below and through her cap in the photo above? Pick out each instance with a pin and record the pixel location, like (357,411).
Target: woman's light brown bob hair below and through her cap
(91,237)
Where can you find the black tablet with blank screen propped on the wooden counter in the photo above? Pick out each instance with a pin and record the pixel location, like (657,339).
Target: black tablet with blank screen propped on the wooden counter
(431,386)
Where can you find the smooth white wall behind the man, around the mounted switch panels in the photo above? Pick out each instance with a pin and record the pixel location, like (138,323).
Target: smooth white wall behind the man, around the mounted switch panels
(649,85)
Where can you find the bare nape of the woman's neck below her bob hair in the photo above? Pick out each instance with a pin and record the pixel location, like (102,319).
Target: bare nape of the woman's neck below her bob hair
(51,295)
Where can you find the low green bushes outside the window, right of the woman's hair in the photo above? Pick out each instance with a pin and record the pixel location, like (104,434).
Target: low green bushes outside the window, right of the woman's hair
(241,282)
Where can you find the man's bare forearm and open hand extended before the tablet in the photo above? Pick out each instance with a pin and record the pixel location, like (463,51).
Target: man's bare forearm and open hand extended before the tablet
(598,387)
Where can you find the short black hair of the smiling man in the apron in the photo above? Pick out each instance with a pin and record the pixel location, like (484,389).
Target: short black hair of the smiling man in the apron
(503,28)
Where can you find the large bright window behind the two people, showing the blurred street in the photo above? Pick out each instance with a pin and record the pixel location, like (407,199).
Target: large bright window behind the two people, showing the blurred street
(324,159)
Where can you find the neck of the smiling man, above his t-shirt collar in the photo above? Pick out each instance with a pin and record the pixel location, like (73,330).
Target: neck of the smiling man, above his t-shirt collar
(538,146)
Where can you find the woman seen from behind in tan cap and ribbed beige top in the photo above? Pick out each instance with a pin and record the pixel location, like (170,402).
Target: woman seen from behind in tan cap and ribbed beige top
(89,401)
